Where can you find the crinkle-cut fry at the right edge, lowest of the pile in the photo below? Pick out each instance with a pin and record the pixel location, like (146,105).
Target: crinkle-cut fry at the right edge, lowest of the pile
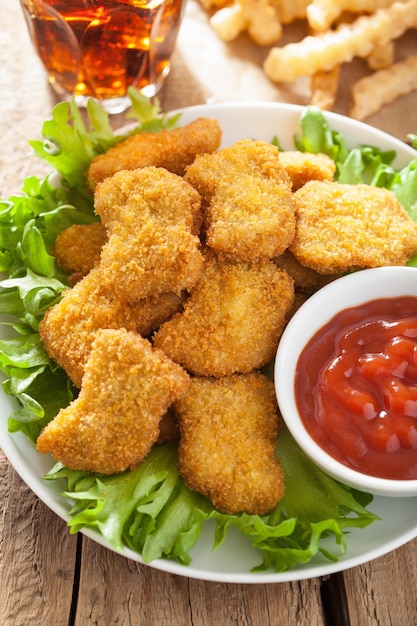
(372,92)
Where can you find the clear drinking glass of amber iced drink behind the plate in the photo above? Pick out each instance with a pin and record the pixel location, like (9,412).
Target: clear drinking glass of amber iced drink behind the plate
(99,48)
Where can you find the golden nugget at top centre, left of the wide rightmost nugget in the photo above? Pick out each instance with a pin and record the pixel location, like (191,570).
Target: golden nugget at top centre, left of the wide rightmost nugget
(249,211)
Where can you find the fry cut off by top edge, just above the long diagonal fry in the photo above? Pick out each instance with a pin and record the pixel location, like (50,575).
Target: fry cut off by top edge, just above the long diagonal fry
(321,14)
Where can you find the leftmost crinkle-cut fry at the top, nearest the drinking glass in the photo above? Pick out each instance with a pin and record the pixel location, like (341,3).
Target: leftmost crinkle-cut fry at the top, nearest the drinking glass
(257,17)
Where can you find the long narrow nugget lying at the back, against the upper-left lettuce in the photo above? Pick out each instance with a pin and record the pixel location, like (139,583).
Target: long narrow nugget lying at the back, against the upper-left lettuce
(171,149)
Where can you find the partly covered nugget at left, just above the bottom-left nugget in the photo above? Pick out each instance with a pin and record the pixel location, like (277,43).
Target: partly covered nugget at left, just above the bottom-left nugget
(68,329)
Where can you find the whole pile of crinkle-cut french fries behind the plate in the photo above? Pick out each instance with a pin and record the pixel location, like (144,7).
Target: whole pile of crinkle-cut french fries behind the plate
(339,31)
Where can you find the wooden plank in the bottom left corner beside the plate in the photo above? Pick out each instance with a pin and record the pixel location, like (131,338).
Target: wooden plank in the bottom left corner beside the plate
(37,557)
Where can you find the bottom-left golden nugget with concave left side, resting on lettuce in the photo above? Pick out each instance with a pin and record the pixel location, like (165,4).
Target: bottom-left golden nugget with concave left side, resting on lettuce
(114,422)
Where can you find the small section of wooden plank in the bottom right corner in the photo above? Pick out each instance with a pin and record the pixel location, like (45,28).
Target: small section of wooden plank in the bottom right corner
(387,589)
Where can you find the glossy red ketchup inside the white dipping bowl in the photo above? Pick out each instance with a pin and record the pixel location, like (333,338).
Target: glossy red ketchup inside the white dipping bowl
(356,387)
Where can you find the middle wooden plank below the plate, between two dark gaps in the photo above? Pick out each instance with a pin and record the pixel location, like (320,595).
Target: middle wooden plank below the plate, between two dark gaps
(116,590)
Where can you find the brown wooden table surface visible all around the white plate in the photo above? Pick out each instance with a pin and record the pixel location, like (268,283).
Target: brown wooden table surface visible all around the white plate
(51,578)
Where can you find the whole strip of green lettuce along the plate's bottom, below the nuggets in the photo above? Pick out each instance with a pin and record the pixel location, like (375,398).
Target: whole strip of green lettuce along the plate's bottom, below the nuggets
(151,511)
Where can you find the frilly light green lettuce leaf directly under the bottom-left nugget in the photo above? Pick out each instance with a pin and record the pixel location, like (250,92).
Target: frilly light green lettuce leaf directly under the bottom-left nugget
(147,509)
